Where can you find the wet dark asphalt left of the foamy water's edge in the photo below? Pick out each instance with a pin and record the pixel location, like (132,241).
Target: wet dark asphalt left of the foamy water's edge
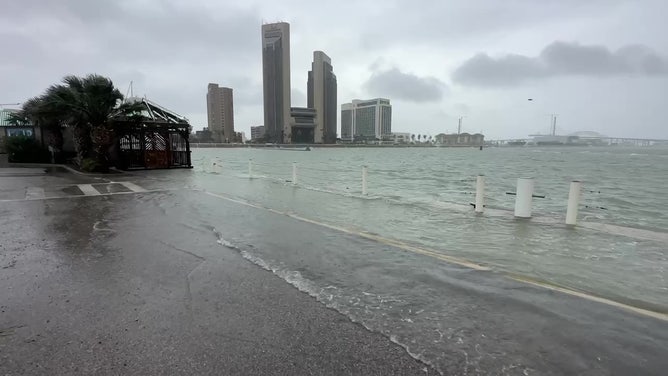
(89,287)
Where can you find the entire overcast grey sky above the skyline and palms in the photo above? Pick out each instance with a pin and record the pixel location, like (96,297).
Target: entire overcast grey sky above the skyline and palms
(599,65)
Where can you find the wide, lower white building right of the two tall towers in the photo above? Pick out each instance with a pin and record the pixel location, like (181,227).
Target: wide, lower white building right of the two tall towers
(366,120)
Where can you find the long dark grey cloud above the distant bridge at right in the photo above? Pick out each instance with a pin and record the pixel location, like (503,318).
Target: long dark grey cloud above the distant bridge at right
(560,59)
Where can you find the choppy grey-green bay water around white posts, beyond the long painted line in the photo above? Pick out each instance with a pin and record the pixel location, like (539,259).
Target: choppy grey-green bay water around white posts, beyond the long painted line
(422,196)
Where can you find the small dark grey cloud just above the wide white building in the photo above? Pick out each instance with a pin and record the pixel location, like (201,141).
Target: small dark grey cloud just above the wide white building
(394,84)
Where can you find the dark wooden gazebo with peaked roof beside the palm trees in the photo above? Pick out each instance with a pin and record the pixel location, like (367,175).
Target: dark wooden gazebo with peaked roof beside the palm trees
(154,138)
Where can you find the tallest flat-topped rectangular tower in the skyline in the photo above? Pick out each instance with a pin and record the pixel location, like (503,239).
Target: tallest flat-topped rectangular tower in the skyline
(276,81)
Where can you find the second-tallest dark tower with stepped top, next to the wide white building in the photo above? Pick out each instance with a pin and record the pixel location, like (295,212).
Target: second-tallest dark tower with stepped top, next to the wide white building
(322,97)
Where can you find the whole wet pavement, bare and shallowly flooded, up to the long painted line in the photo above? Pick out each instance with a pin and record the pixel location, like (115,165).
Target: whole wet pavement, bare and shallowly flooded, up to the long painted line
(141,274)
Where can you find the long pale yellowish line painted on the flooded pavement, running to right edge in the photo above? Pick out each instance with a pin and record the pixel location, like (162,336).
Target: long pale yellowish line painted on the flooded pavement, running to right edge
(427,252)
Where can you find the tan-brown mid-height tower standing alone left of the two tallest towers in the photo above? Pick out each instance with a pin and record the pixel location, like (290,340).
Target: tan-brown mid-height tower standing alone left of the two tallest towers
(220,111)
